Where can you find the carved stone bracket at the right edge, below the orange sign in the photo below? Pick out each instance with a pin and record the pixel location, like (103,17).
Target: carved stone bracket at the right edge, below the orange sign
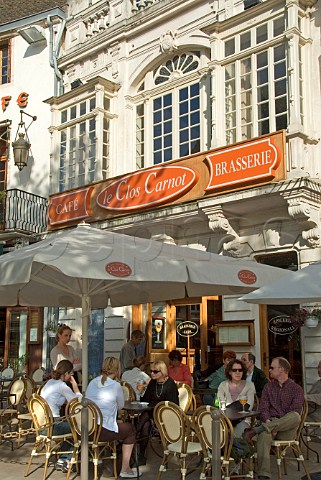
(305,209)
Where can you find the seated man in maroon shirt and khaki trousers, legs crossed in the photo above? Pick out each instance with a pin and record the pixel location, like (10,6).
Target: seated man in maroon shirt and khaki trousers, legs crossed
(280,411)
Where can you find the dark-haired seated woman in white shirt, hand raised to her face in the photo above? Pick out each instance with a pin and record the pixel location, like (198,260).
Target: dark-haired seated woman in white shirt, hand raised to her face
(56,393)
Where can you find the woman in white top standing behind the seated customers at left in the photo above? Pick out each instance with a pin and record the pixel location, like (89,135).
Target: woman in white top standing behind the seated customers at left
(63,351)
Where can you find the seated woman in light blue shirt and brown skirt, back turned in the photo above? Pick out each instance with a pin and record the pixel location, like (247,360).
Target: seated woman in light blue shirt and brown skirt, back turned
(107,393)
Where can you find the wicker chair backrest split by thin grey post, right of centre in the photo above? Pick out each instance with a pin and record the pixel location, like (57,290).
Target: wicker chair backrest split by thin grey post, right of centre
(202,421)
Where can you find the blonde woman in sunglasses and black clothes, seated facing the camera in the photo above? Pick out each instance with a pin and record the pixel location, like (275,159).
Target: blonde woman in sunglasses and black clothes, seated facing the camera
(160,388)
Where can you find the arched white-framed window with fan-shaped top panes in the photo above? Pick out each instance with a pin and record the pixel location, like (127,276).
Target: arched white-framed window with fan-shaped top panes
(174,129)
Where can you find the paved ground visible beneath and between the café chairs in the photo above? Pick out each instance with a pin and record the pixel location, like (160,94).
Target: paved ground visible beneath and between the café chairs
(13,464)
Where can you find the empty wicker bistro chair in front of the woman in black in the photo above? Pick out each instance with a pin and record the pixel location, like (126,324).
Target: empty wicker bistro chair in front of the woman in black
(174,428)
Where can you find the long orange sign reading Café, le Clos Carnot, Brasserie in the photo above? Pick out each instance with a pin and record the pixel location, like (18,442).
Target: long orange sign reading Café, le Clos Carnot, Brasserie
(191,178)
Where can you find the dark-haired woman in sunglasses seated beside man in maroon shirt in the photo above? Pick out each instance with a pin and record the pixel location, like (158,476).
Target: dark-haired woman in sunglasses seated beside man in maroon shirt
(236,387)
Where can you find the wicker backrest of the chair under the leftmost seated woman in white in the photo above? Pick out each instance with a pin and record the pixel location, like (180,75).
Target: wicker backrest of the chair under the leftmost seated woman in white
(41,415)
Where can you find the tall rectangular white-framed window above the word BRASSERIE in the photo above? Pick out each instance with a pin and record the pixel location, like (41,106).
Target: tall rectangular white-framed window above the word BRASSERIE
(256,84)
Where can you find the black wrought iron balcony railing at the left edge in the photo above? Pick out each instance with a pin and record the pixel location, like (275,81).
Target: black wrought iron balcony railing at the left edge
(23,212)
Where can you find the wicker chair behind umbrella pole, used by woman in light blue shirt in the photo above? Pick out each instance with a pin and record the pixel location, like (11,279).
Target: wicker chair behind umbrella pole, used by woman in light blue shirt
(98,450)
